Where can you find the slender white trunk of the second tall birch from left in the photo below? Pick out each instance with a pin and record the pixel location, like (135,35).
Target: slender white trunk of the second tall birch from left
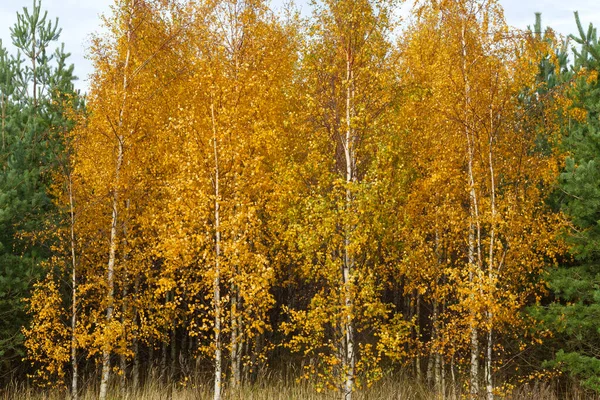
(217,278)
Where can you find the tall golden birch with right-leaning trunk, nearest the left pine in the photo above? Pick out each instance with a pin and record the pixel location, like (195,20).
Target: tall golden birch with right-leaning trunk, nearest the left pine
(123,119)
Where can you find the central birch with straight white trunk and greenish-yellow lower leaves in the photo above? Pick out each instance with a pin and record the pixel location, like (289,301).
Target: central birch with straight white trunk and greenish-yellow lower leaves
(344,65)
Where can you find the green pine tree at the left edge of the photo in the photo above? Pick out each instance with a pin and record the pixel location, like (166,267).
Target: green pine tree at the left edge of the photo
(33,84)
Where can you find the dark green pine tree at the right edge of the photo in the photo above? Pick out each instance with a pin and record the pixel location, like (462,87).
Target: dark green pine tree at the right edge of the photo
(576,286)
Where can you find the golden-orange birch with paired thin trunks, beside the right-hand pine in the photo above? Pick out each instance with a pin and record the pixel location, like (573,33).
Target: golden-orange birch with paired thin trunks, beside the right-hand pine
(482,123)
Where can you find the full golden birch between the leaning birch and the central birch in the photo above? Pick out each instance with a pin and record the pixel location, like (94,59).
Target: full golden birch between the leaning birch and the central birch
(228,119)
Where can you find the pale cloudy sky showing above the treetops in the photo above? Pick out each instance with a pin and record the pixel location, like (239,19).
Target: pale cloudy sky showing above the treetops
(80,18)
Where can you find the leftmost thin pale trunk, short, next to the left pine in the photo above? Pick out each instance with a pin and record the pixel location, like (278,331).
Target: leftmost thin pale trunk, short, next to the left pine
(74,389)
